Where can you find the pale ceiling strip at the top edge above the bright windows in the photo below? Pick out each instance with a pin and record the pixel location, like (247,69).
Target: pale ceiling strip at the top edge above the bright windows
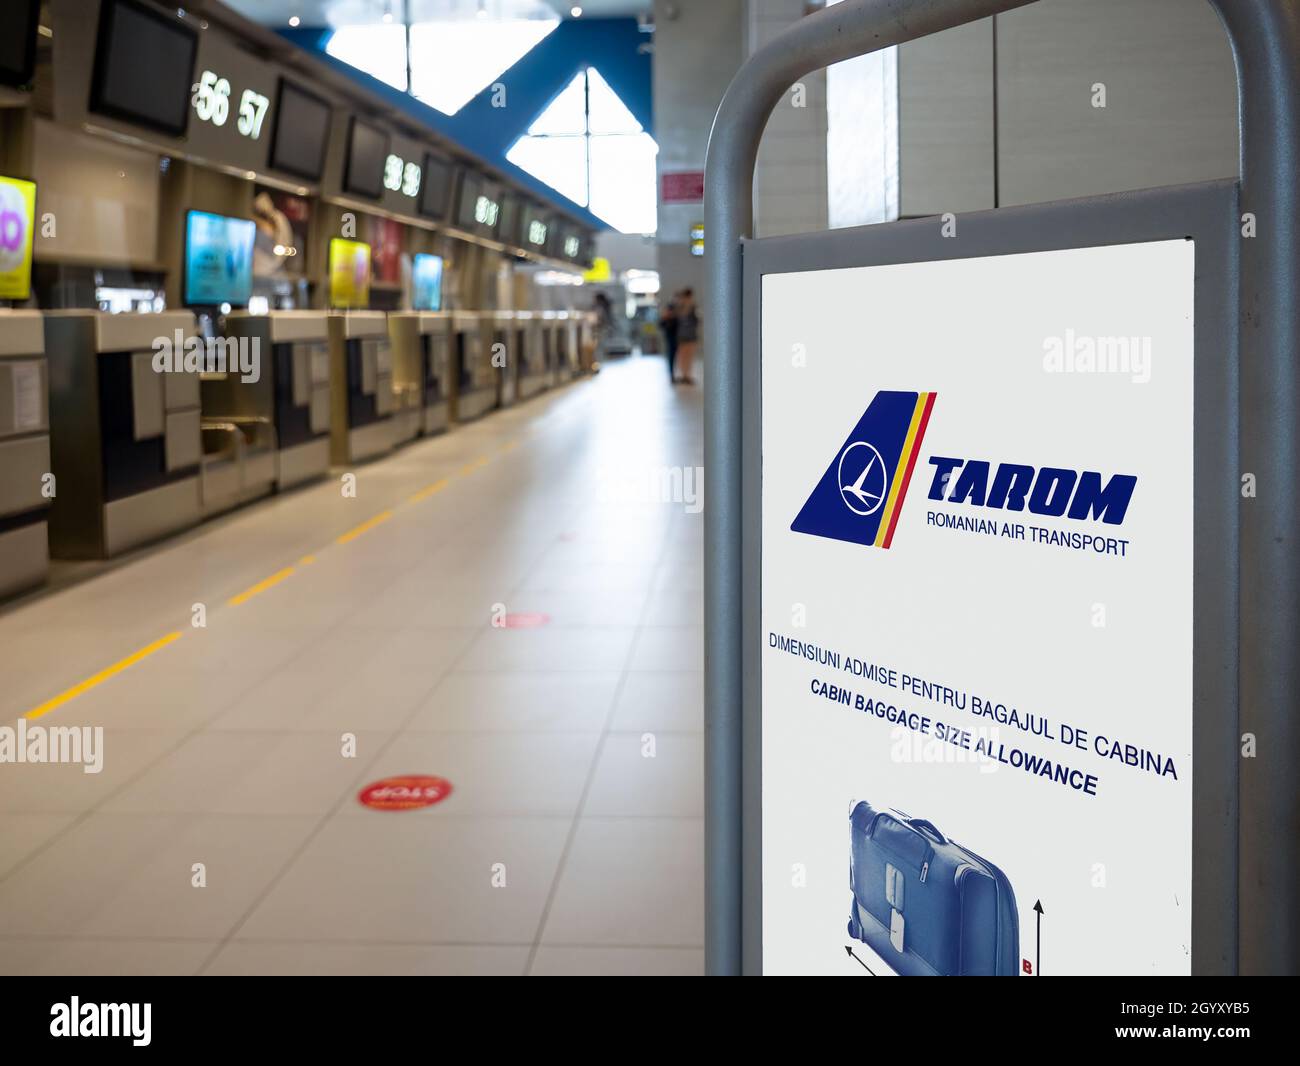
(278,14)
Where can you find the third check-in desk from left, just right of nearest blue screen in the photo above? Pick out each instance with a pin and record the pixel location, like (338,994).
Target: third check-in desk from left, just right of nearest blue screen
(294,350)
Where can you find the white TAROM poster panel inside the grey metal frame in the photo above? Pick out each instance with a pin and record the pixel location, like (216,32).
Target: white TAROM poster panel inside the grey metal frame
(977,616)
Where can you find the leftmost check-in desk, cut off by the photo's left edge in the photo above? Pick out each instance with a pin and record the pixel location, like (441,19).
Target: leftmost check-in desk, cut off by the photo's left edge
(24,452)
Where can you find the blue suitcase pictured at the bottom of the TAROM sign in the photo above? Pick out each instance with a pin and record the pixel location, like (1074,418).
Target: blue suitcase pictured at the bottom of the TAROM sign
(926,905)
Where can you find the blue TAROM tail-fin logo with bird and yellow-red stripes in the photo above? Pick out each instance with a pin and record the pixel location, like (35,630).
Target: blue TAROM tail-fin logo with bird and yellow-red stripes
(861,495)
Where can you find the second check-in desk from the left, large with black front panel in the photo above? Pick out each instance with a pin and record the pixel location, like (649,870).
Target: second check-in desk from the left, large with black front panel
(124,432)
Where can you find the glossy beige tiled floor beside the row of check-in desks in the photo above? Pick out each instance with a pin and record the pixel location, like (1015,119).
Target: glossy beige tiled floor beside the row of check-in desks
(573,840)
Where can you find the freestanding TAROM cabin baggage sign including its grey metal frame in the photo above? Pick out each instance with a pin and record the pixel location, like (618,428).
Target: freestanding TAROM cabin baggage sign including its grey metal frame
(973,601)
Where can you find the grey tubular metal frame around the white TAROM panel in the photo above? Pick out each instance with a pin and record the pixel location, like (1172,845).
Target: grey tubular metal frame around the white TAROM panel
(1259,276)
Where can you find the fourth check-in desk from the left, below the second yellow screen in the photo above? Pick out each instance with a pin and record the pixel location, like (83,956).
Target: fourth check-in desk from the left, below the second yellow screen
(361,370)
